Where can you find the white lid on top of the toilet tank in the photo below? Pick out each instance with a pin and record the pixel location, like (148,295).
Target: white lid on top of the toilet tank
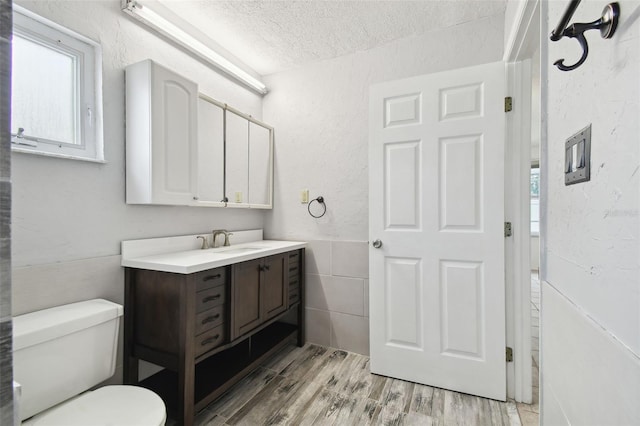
(40,326)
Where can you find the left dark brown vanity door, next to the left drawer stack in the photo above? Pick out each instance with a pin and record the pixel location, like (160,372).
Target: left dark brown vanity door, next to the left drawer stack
(245,287)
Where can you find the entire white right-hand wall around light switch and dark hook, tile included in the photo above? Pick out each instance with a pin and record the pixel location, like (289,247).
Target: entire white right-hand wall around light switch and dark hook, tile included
(590,313)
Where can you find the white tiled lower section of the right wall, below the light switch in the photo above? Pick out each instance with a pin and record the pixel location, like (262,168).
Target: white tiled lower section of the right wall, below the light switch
(588,376)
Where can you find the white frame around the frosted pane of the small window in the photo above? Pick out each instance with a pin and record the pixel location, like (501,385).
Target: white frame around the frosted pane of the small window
(87,54)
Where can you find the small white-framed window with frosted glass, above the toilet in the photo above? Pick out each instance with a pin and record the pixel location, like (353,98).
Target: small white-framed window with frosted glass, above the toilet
(56,102)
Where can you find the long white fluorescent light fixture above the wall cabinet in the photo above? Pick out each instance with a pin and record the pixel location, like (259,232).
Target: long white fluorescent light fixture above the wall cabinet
(172,31)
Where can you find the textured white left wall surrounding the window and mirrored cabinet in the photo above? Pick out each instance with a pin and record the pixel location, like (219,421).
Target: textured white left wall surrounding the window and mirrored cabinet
(67,210)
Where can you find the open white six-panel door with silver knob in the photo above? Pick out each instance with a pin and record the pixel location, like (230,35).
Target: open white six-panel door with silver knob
(437,297)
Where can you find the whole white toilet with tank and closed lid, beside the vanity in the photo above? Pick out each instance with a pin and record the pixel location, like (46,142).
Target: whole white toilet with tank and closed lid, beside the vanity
(61,352)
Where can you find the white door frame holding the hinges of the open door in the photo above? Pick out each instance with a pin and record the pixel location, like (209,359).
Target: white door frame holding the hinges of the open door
(519,48)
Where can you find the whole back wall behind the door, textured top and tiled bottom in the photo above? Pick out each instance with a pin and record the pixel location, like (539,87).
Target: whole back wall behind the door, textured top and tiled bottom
(320,112)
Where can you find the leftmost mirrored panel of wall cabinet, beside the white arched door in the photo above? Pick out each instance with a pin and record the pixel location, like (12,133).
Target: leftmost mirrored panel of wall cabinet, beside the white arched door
(210,188)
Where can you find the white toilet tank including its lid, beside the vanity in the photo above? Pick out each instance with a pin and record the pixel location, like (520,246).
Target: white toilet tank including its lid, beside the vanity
(63,351)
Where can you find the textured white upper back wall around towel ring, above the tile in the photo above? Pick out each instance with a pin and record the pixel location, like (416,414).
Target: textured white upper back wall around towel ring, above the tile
(321,112)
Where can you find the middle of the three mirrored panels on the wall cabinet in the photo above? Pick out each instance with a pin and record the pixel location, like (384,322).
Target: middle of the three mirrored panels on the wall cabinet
(237,159)
